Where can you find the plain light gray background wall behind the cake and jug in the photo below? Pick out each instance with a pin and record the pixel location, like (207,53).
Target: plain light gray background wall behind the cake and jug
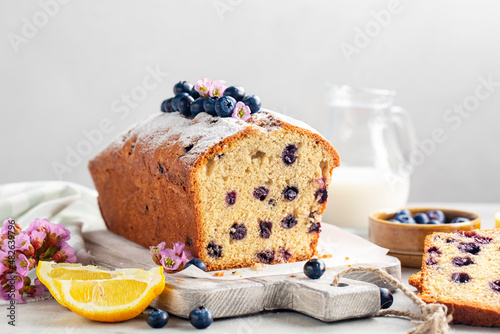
(70,75)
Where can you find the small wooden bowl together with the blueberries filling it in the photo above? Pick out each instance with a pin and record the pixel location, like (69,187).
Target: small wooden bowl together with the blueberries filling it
(403,231)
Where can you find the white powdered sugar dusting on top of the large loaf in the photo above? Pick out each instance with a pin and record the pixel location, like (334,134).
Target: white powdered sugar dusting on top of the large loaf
(199,133)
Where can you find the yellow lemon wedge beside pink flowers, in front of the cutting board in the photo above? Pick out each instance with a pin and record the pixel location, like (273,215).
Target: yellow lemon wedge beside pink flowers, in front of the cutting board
(102,295)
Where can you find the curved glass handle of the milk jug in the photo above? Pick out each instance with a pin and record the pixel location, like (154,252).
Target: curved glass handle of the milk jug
(406,134)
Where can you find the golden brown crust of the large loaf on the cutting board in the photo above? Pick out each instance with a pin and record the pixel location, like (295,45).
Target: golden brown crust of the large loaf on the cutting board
(149,195)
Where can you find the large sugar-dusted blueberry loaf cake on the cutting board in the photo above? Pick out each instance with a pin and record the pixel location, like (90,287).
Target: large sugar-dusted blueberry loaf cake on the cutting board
(235,192)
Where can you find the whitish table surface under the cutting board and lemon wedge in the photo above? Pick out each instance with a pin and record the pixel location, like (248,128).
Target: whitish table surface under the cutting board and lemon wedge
(50,317)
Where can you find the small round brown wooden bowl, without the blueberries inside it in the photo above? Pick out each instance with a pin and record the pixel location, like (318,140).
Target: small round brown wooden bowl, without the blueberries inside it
(405,241)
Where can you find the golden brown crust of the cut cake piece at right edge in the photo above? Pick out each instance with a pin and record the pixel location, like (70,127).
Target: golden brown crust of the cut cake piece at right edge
(476,312)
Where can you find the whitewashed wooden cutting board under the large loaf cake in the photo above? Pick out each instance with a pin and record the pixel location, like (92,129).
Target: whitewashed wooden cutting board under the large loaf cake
(357,296)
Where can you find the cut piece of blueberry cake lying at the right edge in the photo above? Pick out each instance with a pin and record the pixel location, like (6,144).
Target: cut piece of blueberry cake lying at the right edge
(462,271)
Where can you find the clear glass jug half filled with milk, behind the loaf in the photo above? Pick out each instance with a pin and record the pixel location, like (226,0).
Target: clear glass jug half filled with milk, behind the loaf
(374,140)
